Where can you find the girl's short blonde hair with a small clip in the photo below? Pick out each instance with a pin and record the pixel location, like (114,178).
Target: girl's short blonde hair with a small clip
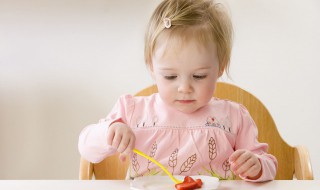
(206,19)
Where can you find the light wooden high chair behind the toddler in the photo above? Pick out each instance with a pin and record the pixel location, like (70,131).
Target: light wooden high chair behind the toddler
(293,161)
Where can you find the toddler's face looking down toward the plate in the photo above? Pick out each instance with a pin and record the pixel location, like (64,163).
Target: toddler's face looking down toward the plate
(185,74)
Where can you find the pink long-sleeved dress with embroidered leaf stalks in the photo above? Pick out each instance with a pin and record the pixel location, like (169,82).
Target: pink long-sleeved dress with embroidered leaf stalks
(199,143)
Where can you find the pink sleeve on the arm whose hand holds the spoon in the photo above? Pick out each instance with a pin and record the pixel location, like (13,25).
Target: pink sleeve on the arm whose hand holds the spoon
(92,143)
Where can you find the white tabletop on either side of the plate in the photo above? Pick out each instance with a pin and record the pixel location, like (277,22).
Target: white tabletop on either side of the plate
(125,184)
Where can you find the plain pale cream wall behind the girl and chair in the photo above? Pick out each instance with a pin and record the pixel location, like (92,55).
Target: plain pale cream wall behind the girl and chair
(64,63)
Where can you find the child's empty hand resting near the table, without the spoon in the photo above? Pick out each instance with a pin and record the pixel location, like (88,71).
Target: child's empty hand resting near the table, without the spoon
(245,164)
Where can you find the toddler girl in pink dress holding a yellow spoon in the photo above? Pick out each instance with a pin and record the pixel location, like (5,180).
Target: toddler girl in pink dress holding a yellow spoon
(187,49)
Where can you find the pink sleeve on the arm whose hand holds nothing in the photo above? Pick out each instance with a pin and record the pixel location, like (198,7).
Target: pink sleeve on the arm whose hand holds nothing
(247,138)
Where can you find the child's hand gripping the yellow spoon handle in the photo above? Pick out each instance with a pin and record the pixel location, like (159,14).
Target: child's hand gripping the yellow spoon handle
(121,137)
